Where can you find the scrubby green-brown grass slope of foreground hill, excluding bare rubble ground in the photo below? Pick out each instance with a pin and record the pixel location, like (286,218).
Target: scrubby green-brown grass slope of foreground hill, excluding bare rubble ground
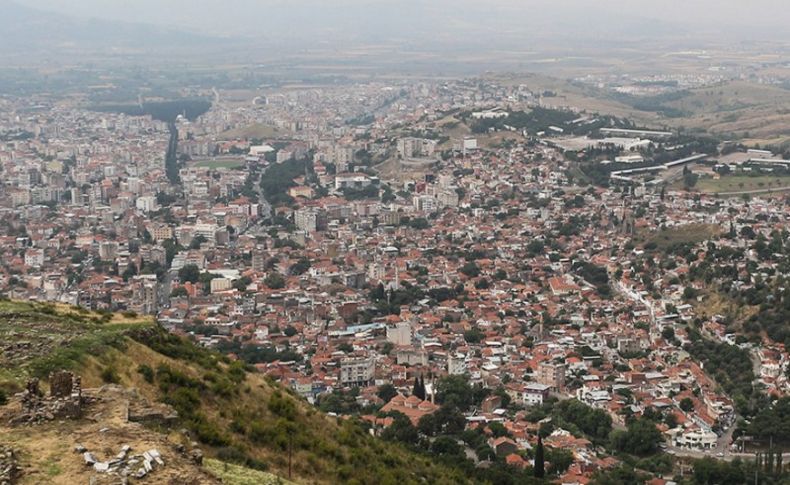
(237,416)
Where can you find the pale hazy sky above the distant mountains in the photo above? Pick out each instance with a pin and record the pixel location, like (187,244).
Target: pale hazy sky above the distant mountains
(253,16)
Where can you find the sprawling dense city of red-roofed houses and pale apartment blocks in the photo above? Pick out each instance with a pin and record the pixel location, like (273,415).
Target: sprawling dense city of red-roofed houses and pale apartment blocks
(439,258)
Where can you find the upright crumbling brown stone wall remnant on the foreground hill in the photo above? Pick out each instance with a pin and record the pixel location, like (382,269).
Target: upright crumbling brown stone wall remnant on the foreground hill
(65,400)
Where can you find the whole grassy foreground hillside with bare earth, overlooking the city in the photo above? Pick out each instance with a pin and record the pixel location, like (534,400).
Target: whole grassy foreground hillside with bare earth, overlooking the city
(130,367)
